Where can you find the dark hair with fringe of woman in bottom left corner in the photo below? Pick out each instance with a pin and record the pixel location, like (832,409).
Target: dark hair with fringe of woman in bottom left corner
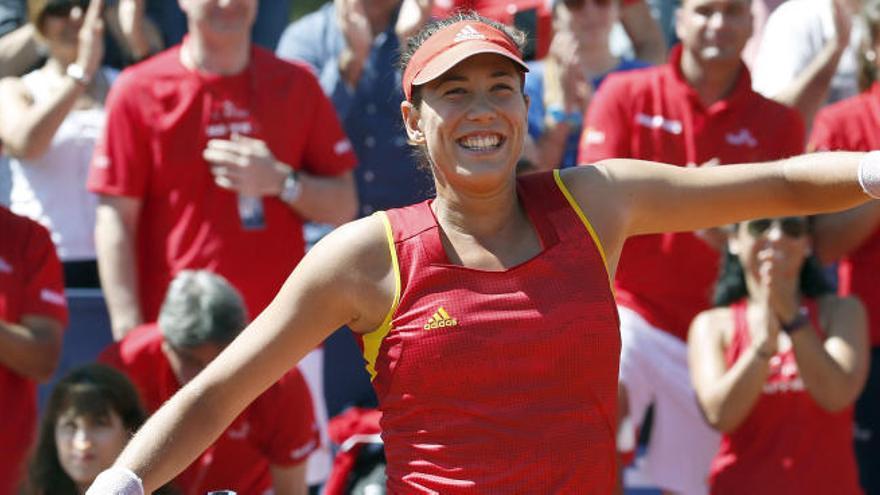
(92,390)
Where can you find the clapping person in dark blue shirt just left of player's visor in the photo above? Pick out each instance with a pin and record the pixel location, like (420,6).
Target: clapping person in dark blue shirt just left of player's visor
(353,47)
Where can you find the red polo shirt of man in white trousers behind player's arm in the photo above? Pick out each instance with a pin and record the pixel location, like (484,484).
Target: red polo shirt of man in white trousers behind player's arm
(653,114)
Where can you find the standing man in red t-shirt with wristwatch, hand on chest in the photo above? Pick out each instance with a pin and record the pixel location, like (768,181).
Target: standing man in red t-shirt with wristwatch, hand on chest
(214,152)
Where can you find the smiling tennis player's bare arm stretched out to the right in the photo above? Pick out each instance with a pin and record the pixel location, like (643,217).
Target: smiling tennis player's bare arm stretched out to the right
(625,197)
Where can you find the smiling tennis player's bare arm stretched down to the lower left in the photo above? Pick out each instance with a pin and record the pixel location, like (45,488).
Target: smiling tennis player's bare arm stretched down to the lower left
(346,279)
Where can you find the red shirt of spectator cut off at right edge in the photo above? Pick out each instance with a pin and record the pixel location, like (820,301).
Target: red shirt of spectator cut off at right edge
(854,125)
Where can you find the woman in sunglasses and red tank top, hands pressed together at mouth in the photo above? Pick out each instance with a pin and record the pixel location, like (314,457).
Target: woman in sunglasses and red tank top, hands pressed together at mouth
(777,366)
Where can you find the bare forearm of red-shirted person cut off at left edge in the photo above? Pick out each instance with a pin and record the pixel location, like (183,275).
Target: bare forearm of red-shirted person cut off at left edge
(31,348)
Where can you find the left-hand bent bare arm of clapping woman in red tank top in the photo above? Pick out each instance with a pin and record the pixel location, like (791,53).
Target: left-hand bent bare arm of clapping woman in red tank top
(726,396)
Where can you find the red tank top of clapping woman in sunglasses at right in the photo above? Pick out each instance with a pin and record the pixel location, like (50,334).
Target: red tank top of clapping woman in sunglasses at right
(787,444)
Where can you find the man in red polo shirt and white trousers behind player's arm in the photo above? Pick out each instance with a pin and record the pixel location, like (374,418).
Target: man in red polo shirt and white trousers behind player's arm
(697,110)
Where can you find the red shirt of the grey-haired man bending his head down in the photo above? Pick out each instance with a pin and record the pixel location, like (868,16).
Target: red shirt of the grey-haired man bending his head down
(278,428)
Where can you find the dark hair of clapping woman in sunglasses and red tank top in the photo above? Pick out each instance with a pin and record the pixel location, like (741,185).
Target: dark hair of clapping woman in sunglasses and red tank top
(731,285)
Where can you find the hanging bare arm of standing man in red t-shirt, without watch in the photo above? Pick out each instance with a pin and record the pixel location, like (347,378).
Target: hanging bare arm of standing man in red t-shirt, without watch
(115,230)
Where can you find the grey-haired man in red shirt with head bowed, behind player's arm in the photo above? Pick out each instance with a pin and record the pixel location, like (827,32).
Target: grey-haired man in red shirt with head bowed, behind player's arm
(266,446)
